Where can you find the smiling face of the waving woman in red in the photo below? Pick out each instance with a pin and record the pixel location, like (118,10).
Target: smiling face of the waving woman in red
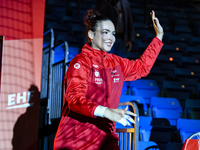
(104,36)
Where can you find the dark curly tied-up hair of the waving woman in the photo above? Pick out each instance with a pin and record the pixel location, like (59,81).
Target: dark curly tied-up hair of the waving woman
(91,20)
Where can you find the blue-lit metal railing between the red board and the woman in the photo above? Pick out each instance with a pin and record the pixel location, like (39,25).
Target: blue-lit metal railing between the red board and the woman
(52,76)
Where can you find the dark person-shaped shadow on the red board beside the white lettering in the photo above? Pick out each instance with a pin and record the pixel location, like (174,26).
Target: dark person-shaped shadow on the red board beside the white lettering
(25,132)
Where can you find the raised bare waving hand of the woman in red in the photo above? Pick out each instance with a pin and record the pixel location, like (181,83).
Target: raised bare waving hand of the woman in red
(158,28)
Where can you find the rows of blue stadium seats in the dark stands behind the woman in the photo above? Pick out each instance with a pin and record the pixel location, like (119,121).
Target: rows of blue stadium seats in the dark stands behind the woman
(168,98)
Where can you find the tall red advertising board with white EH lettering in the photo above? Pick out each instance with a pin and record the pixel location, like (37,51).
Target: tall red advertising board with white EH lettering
(21,30)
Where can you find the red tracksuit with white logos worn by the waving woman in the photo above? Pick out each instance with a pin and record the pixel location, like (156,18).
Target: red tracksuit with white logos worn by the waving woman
(96,78)
